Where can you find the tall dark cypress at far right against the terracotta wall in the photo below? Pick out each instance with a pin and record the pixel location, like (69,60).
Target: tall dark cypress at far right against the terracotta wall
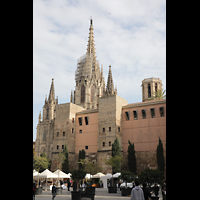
(160,157)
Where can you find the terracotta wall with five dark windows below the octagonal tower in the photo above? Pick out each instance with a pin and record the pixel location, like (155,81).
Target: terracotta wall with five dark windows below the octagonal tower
(144,133)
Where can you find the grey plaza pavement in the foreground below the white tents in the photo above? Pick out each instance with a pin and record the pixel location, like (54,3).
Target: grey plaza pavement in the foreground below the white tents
(101,194)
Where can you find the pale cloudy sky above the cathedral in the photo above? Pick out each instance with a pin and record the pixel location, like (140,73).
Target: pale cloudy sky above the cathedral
(130,35)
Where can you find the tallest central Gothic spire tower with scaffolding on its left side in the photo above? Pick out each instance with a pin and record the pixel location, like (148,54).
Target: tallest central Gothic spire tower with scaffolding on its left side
(88,76)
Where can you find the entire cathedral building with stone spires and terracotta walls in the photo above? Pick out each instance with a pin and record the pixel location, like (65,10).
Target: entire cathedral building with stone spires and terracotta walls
(96,115)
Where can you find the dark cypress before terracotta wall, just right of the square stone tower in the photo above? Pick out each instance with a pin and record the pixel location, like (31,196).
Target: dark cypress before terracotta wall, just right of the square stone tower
(132,158)
